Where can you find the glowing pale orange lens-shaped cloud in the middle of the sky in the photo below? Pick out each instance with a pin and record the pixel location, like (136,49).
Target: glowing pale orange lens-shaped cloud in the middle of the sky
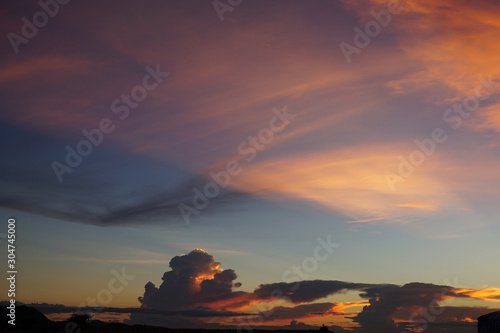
(346,180)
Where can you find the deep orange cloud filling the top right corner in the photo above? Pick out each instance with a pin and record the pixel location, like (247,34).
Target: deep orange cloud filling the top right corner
(454,41)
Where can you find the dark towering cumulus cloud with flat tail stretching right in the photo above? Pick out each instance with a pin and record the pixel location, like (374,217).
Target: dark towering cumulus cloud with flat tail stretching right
(195,280)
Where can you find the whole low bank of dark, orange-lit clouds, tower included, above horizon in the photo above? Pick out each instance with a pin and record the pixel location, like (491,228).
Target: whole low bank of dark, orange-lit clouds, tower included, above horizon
(197,283)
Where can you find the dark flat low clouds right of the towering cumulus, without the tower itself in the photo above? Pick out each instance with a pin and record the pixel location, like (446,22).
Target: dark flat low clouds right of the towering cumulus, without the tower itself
(415,301)
